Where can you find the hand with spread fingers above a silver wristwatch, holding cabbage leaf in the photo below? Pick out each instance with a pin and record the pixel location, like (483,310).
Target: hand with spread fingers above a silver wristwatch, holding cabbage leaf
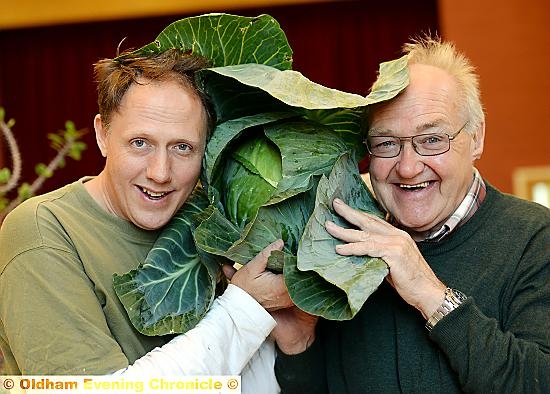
(409,274)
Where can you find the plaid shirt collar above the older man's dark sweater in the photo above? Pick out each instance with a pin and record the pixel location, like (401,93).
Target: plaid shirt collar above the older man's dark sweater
(465,210)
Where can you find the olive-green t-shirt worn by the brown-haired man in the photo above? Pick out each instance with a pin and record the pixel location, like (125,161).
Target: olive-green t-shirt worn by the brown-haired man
(59,313)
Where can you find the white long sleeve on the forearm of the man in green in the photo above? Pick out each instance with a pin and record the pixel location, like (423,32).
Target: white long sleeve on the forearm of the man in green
(221,344)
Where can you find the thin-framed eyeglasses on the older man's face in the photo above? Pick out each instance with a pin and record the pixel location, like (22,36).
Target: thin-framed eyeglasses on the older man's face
(431,144)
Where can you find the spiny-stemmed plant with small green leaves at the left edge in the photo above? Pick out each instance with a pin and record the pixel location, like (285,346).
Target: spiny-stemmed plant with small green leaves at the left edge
(66,143)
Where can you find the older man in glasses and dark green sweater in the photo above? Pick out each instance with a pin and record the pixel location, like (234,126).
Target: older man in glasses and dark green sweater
(465,307)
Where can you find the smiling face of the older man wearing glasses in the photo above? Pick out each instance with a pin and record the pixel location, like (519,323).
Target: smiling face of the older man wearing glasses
(421,192)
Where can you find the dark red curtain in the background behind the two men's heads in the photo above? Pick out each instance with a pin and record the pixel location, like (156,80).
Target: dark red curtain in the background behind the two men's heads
(46,73)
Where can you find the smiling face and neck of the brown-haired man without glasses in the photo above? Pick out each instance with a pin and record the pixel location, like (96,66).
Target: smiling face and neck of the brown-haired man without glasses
(153,147)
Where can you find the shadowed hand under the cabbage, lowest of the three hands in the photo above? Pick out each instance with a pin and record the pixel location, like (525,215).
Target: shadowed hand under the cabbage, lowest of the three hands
(295,330)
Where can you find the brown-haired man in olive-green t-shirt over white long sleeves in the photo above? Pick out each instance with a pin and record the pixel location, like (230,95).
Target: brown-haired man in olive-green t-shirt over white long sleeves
(59,313)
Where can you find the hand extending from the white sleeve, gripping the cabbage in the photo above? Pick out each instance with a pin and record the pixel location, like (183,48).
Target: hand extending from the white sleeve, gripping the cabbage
(266,287)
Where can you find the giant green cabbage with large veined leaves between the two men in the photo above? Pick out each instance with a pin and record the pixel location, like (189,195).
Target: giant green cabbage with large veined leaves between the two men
(283,148)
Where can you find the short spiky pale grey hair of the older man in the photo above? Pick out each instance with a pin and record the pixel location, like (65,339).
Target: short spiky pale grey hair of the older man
(432,51)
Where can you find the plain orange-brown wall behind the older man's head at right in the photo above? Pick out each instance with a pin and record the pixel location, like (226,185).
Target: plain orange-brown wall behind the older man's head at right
(509,42)
